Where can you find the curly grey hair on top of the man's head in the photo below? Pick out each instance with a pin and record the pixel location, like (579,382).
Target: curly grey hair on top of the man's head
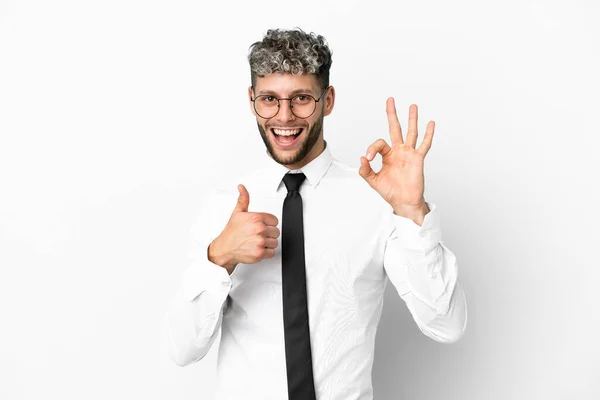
(291,51)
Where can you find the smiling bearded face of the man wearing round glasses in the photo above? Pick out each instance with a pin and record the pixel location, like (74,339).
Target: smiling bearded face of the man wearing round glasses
(311,128)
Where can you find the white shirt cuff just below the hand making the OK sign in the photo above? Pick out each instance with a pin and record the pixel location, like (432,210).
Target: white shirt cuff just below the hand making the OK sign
(419,238)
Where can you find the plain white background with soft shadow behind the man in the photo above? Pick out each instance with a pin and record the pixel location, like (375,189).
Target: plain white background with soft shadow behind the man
(116,115)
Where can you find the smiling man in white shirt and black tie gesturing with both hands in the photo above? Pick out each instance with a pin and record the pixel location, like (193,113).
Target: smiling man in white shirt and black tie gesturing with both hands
(298,317)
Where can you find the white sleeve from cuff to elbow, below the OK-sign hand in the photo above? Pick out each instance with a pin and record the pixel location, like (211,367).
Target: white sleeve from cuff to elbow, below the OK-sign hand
(425,273)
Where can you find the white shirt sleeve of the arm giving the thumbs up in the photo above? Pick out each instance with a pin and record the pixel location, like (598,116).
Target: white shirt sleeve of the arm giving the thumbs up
(195,312)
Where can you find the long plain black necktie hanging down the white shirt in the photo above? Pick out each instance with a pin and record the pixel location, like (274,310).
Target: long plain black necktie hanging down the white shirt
(295,308)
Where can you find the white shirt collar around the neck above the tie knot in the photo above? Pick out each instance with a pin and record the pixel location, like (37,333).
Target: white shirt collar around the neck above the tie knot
(273,172)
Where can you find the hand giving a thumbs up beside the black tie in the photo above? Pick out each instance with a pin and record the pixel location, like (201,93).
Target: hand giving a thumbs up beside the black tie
(248,237)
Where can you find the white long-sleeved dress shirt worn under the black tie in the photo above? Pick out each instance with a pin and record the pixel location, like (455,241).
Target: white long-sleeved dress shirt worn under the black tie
(353,244)
